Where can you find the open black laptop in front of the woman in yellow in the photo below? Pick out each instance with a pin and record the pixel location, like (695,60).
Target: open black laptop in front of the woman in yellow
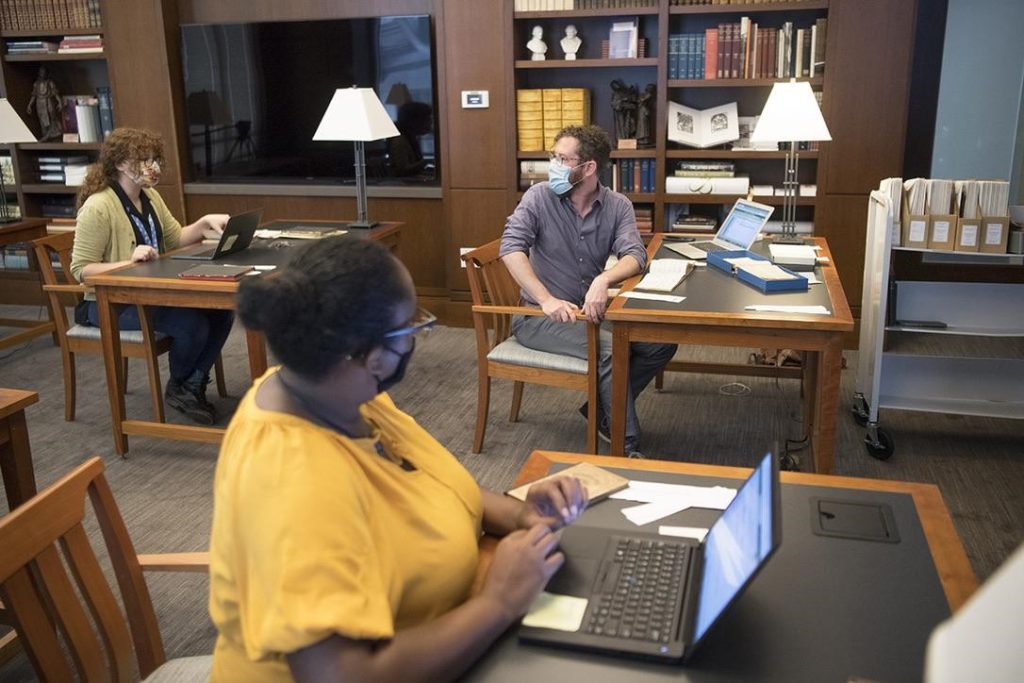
(695,584)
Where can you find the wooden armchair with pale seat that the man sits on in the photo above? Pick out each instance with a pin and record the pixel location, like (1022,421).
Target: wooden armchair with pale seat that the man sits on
(496,301)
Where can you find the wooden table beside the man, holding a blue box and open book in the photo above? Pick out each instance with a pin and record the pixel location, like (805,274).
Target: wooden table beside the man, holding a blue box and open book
(713,314)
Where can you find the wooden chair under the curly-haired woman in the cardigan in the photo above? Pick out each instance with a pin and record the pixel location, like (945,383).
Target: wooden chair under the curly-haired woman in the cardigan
(145,344)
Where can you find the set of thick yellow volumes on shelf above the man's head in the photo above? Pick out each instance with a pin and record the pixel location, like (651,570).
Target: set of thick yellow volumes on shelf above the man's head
(541,113)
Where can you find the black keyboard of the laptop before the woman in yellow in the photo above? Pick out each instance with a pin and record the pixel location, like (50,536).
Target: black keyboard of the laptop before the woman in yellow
(641,590)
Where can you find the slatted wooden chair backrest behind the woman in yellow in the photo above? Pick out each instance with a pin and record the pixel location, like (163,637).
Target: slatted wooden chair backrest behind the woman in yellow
(44,596)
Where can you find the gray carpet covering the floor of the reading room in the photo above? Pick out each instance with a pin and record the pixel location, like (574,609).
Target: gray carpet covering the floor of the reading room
(164,488)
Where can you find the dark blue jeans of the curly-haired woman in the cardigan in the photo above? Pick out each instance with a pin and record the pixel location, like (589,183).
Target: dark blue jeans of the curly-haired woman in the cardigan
(198,334)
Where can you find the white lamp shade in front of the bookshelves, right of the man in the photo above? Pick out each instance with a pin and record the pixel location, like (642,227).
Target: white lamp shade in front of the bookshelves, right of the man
(792,114)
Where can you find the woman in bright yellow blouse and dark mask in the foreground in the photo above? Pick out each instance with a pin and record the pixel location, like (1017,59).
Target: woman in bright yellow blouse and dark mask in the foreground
(345,539)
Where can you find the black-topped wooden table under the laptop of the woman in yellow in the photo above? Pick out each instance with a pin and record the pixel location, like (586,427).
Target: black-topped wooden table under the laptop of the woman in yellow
(928,539)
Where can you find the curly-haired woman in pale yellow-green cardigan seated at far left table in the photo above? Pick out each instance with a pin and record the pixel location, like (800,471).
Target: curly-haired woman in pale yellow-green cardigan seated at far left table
(122,220)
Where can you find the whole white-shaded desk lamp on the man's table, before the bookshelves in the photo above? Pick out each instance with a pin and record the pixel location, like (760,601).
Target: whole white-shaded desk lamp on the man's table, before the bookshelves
(791,115)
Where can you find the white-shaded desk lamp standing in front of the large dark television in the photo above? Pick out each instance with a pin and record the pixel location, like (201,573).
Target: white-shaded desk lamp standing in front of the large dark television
(357,115)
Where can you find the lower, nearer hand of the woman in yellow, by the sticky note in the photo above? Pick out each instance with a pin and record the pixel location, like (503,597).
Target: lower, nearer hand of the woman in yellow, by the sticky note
(523,566)
